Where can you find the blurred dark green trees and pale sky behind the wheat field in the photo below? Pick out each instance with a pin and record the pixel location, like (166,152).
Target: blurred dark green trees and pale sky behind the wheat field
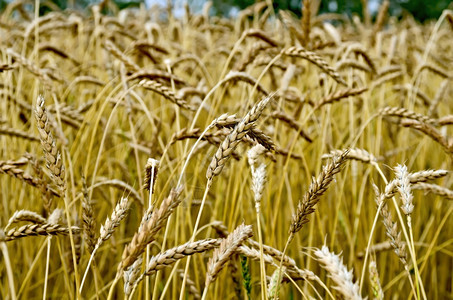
(422,10)
